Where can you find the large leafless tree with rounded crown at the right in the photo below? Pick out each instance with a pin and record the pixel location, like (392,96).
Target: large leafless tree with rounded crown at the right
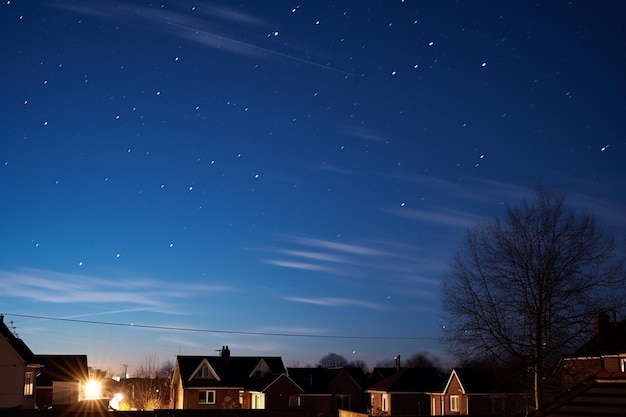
(525,288)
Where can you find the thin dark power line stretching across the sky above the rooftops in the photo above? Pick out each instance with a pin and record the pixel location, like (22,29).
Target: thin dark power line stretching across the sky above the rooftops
(187,329)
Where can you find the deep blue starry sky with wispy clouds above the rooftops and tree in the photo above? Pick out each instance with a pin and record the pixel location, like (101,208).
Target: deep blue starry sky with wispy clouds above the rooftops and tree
(304,168)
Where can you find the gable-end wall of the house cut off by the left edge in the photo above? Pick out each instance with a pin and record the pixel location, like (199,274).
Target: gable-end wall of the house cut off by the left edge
(12,372)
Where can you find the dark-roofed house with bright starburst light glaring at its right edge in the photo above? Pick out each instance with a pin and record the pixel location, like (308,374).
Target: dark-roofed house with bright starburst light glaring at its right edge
(62,380)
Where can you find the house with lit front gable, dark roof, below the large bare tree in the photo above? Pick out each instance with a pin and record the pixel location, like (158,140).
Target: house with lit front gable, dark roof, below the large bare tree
(482,391)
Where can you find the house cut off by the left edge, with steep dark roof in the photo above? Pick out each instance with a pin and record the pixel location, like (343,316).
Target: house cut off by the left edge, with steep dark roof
(18,367)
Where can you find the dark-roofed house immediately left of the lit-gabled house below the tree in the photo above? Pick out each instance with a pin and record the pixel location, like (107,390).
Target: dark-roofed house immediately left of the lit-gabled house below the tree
(405,392)
